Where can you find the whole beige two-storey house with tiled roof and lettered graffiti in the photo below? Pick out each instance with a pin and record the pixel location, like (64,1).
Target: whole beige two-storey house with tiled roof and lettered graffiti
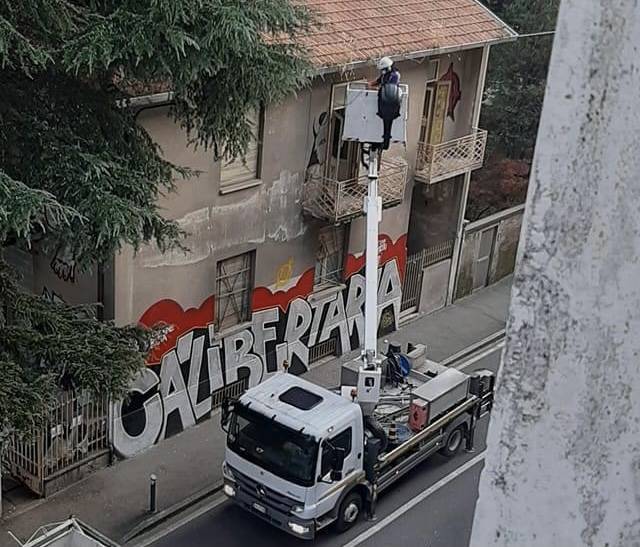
(274,267)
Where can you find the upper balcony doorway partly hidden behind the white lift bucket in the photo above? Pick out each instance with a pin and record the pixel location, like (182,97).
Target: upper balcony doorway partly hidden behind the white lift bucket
(344,156)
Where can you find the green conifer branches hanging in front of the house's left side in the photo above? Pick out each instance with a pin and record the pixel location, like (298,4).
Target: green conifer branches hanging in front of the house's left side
(78,173)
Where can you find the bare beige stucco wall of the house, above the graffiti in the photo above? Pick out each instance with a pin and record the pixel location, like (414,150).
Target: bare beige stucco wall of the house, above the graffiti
(267,217)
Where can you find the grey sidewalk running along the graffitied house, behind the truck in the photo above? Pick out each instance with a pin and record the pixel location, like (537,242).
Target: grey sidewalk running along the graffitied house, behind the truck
(114,500)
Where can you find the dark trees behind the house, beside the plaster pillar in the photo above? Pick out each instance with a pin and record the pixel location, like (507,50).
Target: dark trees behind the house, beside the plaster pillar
(514,93)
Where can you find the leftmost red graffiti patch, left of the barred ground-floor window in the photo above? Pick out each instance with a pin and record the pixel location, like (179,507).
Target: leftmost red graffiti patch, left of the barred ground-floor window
(178,321)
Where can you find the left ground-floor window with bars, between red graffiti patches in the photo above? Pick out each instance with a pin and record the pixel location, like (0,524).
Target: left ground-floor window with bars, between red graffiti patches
(234,283)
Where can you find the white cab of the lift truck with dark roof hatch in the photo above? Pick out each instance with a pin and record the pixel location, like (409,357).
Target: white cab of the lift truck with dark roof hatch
(292,450)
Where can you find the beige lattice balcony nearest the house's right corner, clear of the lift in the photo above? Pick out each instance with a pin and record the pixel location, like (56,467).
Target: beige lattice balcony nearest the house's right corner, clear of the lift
(448,159)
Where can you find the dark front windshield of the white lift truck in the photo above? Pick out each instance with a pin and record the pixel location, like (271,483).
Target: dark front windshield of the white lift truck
(282,451)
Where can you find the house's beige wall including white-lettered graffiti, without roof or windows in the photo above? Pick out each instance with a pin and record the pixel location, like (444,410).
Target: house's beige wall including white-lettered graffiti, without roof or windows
(177,290)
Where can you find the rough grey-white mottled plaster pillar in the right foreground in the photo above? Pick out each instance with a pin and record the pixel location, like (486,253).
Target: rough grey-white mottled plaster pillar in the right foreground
(563,463)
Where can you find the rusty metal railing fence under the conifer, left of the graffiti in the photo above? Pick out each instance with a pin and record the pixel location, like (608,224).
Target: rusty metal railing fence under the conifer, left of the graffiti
(75,432)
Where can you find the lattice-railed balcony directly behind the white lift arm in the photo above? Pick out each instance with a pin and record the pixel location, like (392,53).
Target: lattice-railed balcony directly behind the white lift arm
(340,201)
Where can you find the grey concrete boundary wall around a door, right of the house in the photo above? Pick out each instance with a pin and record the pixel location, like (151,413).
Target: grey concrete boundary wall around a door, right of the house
(505,247)
